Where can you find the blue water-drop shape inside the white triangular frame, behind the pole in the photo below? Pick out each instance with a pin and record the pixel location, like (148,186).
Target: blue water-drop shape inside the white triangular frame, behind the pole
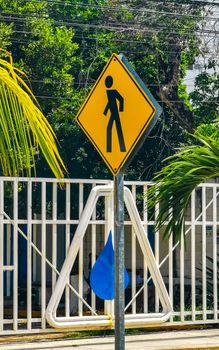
(102,274)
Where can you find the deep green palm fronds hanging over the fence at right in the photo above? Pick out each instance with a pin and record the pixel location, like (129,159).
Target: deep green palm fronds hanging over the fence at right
(174,184)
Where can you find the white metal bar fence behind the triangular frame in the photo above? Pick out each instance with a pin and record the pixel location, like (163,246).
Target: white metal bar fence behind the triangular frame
(38,218)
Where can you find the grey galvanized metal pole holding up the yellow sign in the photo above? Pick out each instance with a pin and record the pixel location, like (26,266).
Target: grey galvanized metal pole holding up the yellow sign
(119,262)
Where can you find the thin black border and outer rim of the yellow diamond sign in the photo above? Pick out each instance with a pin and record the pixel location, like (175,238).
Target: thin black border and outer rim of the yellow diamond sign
(114,56)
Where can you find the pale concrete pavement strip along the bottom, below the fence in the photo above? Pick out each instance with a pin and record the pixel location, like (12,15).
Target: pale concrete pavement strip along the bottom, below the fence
(171,340)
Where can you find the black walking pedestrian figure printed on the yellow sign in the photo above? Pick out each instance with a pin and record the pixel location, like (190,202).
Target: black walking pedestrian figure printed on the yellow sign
(112,106)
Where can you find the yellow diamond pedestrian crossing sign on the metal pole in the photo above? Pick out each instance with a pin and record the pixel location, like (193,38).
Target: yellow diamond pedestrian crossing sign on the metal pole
(117,113)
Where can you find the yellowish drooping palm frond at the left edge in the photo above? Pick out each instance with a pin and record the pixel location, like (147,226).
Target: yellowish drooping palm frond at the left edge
(23,128)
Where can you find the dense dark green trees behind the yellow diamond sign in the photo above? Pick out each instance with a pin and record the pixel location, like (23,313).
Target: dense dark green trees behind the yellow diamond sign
(63,47)
